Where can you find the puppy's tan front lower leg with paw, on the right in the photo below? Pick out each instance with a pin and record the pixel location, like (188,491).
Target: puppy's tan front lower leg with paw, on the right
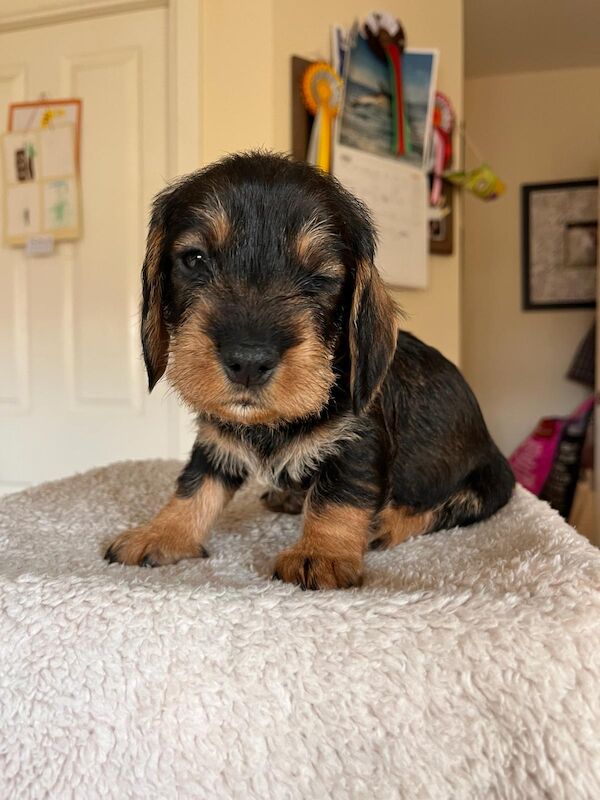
(329,555)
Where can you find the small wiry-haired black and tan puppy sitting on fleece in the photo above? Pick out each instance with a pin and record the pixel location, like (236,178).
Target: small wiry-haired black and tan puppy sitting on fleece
(262,302)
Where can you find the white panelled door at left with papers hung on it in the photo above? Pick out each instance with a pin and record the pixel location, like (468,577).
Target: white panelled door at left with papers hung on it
(72,386)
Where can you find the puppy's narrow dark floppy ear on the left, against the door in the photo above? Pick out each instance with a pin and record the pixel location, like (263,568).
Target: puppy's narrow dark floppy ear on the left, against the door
(155,336)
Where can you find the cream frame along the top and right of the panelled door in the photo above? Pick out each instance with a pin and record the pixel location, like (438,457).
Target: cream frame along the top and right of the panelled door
(184,100)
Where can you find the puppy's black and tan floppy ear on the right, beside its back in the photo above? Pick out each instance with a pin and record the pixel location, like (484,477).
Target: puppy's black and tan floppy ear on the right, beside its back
(373,334)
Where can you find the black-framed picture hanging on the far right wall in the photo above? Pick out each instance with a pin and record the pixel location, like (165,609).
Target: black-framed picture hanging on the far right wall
(559,244)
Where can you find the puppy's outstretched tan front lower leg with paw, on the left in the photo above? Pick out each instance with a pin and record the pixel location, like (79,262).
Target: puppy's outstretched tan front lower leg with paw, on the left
(176,532)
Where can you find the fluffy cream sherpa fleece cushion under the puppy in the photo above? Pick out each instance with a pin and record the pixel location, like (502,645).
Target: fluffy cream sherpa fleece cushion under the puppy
(467,666)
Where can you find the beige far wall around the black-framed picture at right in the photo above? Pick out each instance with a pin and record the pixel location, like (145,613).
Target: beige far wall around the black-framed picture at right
(531,127)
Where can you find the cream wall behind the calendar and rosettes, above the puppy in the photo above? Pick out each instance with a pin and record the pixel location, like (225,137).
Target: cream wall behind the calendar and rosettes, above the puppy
(246,100)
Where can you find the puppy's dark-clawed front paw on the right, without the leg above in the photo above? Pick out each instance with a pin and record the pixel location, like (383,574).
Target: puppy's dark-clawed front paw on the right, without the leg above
(317,572)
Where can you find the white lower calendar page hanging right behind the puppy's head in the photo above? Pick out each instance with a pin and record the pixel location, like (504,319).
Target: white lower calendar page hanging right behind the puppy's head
(396,194)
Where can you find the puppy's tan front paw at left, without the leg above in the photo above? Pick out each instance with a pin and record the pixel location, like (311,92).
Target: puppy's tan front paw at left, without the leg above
(148,546)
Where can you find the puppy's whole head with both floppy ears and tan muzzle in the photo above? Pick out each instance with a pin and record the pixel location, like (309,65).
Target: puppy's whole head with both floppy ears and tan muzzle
(260,294)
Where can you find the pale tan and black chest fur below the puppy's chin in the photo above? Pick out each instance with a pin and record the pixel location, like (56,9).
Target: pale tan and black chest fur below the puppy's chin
(280,462)
